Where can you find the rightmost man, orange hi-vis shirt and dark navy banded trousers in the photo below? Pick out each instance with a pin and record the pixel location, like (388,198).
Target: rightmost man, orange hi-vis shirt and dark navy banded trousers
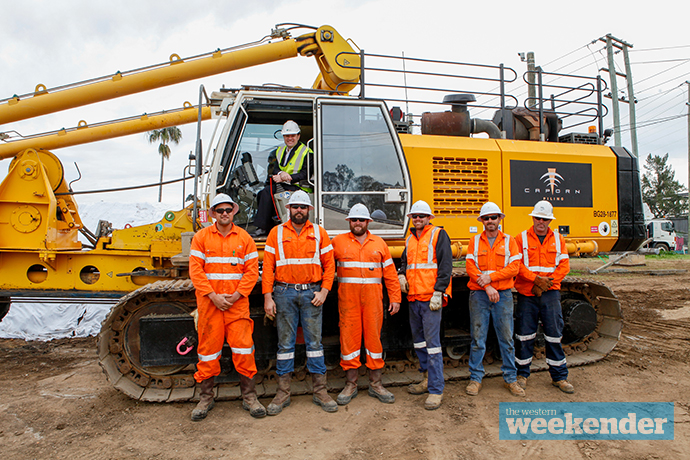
(545,263)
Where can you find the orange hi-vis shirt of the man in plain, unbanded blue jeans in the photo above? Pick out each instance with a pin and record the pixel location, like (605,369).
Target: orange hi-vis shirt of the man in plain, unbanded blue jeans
(501,262)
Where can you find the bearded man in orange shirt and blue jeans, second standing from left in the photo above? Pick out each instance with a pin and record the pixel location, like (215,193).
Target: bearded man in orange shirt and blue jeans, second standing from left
(298,272)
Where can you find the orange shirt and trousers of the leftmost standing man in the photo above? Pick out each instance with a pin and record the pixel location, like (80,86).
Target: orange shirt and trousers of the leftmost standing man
(224,265)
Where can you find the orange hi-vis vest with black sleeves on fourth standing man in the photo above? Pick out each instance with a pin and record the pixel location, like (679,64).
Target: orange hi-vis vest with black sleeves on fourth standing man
(427,263)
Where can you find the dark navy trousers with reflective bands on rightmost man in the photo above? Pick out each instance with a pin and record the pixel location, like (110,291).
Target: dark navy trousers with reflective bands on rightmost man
(529,311)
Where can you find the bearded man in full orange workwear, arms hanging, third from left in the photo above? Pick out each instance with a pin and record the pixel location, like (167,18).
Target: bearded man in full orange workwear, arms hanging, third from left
(362,260)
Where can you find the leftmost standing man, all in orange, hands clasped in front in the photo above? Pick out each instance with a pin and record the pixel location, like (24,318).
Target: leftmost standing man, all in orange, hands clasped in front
(224,267)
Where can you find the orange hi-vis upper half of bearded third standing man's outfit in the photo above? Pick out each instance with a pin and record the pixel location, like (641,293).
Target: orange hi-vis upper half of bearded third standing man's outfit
(364,264)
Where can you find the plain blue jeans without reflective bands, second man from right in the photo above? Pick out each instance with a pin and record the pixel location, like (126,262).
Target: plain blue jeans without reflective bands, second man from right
(481,309)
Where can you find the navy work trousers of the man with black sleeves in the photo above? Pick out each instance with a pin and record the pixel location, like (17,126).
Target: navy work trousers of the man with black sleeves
(426,335)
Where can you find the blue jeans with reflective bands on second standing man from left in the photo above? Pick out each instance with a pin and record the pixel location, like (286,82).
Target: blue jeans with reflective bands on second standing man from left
(293,307)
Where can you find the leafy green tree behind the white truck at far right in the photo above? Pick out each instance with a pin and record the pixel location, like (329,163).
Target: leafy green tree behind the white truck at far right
(660,188)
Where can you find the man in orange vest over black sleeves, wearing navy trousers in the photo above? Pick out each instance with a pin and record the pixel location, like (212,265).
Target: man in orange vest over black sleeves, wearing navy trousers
(425,275)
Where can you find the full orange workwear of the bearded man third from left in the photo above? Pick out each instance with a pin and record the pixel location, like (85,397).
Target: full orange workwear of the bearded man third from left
(360,269)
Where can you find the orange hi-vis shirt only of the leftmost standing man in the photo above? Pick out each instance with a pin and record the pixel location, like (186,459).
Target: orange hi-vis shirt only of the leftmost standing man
(224,264)
